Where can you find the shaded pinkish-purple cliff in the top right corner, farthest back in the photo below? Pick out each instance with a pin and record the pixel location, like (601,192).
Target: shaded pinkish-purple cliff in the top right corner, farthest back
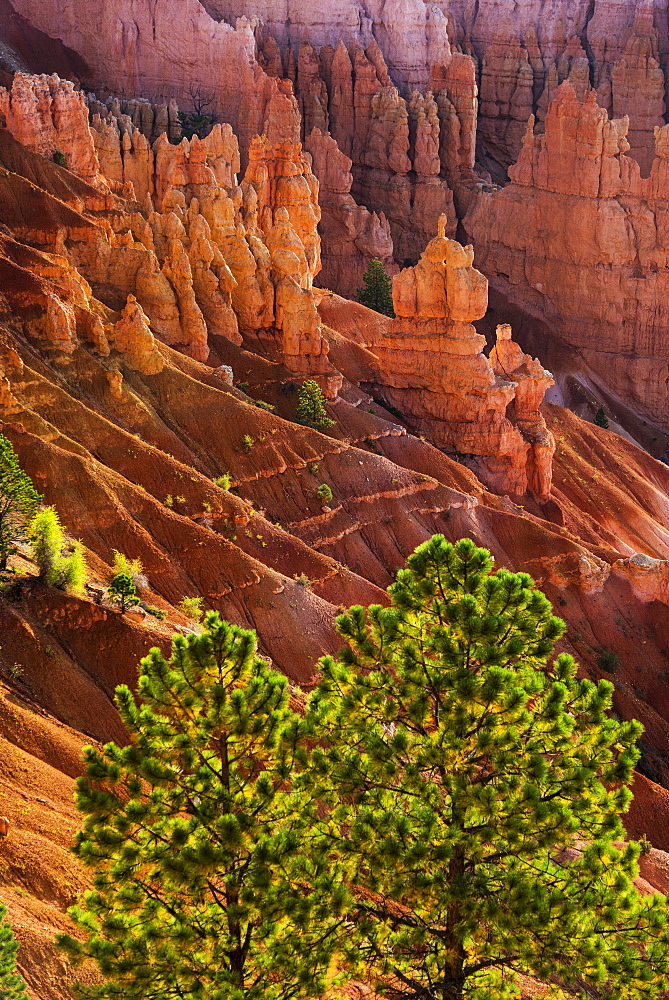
(526,50)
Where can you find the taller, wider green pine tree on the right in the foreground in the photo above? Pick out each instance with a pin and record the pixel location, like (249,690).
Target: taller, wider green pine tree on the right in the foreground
(462,766)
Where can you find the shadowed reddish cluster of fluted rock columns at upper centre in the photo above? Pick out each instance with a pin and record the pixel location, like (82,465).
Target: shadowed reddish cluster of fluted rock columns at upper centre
(408,154)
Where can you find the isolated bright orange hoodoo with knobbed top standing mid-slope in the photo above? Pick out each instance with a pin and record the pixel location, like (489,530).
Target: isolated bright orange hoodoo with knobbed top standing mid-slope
(432,368)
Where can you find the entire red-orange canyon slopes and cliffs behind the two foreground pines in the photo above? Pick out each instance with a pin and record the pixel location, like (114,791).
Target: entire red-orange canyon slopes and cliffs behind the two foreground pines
(162,300)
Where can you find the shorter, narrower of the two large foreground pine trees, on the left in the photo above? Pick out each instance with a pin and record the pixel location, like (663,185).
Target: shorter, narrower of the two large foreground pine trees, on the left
(204,882)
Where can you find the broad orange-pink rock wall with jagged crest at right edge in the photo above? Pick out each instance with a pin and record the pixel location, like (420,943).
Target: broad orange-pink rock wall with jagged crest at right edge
(579,237)
